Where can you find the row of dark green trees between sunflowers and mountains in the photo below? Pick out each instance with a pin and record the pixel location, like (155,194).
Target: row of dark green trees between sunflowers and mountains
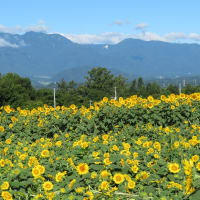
(17,91)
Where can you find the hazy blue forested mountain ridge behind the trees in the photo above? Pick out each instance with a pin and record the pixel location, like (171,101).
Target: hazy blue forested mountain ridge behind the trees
(35,54)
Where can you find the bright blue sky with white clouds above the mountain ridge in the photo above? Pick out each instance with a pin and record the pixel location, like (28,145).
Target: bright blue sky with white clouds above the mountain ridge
(105,21)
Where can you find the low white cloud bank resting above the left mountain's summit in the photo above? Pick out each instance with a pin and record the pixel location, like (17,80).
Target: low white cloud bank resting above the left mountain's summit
(40,27)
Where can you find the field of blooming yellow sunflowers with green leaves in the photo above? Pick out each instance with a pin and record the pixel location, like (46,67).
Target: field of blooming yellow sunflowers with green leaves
(132,148)
